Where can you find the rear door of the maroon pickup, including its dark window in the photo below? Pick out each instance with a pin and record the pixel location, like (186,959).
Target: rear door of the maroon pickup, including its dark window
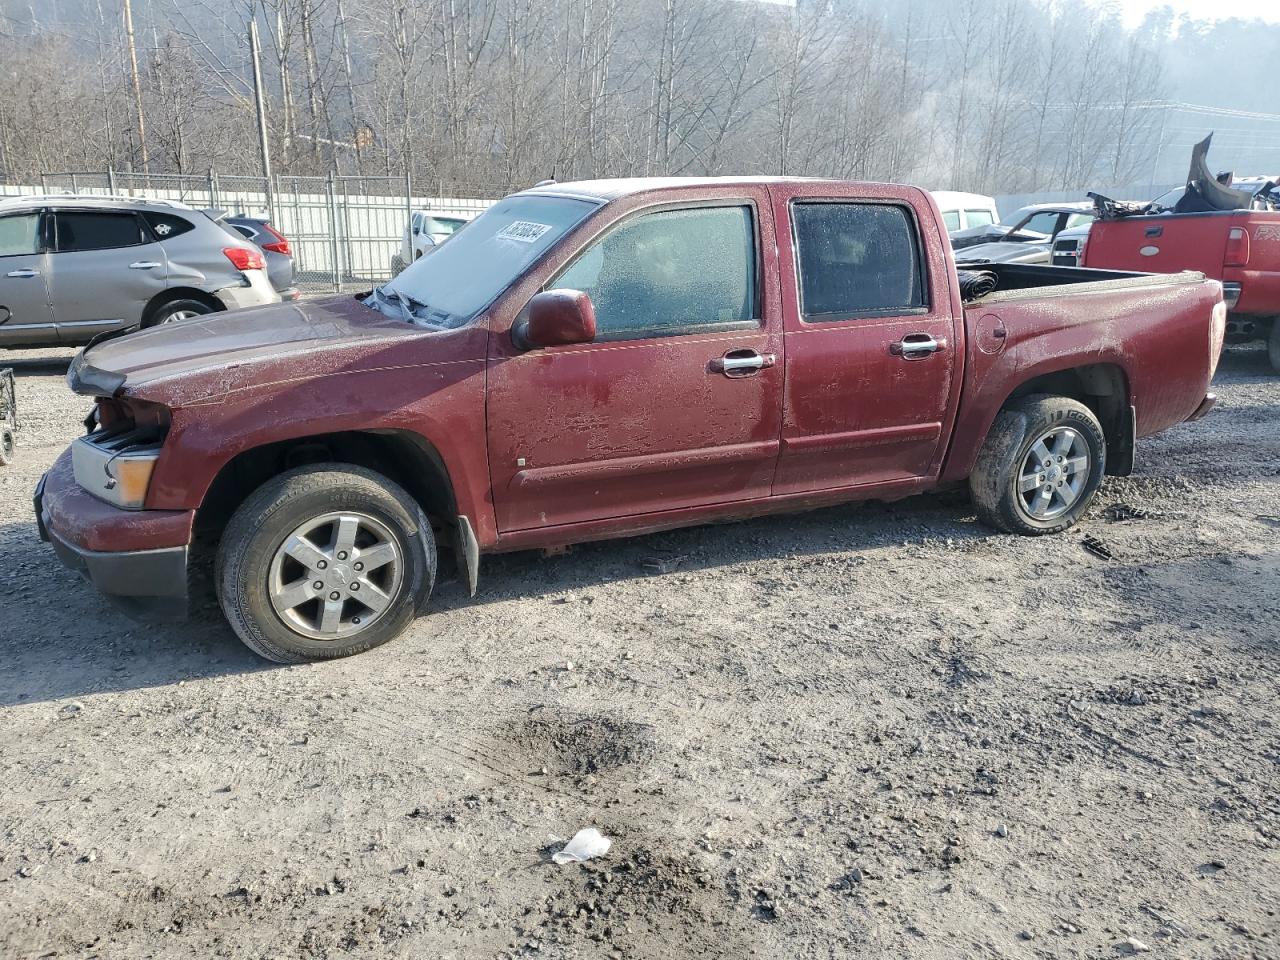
(872,372)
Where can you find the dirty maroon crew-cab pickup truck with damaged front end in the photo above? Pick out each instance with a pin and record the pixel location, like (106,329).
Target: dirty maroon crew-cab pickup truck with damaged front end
(605,359)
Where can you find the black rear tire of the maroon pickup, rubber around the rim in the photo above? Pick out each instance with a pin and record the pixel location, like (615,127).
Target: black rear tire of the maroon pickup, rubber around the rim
(995,483)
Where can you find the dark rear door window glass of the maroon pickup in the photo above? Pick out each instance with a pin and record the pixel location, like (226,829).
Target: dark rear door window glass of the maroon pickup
(858,260)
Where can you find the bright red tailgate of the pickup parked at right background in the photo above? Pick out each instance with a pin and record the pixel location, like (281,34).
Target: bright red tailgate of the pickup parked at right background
(1162,245)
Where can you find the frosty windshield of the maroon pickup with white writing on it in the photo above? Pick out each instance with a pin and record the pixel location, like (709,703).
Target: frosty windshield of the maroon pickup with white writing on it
(463,277)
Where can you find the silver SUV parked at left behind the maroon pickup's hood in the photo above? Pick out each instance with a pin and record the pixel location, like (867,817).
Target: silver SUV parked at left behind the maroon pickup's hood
(75,267)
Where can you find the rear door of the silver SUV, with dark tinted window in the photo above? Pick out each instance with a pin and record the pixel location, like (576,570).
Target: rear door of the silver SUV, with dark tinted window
(104,271)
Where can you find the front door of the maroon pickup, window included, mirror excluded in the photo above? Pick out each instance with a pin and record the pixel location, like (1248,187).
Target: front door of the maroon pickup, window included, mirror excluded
(676,404)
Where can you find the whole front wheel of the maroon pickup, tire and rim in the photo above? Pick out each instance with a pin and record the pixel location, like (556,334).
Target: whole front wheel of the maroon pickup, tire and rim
(324,563)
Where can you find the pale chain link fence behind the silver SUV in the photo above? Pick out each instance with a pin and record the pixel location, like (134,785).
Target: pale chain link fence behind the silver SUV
(346,232)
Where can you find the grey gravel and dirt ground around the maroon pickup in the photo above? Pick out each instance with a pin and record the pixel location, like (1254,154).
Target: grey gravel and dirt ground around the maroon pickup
(877,732)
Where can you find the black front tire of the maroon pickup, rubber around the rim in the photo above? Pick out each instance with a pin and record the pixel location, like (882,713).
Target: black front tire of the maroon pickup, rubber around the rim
(272,514)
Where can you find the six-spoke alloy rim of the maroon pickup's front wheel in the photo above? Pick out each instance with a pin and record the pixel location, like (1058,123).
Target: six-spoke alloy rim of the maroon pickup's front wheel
(336,575)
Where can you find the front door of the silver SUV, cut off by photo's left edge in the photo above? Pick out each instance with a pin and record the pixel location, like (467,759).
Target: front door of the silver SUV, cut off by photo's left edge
(25,316)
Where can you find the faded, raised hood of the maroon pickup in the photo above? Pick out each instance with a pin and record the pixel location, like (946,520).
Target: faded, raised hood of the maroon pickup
(213,355)
